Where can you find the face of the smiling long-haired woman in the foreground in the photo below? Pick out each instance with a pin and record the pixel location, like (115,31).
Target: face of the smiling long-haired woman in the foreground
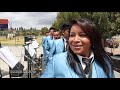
(79,42)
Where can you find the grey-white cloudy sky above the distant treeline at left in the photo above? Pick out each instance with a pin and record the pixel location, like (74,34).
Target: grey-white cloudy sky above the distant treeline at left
(26,20)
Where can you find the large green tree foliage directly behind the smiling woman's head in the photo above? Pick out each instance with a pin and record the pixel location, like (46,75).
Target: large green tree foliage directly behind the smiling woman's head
(108,23)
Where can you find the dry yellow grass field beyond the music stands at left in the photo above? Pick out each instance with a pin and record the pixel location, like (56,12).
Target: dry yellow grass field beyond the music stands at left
(17,41)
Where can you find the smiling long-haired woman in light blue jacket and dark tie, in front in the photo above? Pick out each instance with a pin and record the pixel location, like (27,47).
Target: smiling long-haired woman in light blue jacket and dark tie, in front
(84,45)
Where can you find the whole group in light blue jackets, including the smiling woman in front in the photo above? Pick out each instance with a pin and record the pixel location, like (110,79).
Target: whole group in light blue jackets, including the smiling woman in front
(75,51)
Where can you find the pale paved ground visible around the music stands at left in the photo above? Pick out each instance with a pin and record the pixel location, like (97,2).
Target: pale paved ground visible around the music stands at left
(19,52)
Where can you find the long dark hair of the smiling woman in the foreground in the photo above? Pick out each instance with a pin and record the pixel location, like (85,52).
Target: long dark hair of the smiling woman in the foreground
(96,45)
